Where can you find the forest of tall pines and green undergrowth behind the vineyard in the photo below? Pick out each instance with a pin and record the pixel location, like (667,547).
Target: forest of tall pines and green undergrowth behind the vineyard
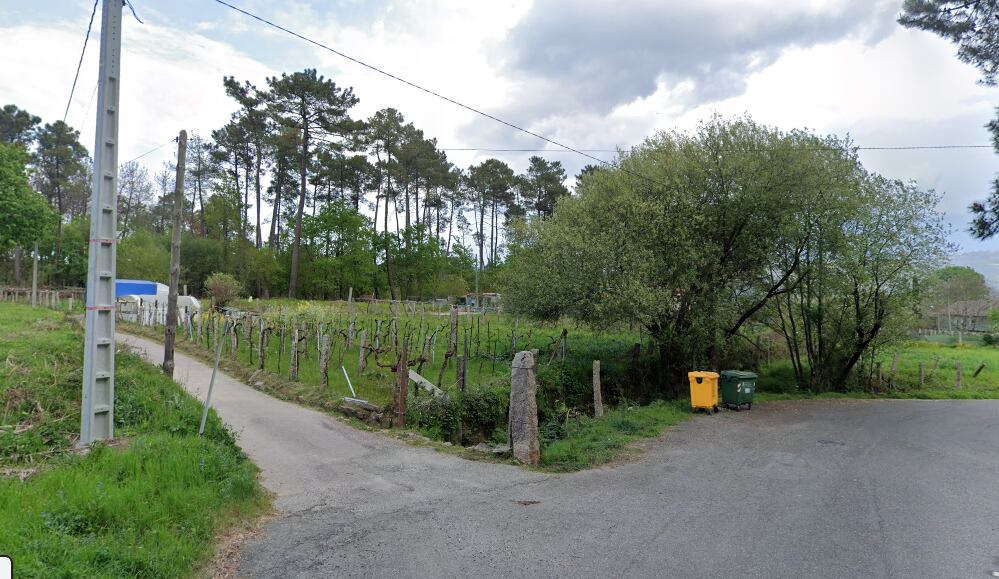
(295,197)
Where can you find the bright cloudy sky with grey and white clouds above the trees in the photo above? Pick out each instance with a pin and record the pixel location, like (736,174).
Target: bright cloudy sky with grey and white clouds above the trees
(592,74)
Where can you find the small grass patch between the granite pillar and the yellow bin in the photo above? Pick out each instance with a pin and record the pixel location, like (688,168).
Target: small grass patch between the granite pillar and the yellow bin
(589,442)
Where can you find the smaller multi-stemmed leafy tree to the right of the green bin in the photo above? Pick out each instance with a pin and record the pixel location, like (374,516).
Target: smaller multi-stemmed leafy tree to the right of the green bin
(860,279)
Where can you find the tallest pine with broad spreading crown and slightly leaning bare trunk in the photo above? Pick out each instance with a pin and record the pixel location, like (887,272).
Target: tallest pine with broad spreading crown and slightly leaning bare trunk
(318,109)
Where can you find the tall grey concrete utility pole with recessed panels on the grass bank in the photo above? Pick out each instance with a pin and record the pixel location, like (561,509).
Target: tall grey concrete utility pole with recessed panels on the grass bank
(97,412)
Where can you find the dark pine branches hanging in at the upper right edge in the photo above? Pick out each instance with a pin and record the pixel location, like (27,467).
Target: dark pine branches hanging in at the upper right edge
(973,25)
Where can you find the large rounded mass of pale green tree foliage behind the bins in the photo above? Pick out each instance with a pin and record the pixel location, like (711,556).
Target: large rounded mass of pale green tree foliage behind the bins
(696,234)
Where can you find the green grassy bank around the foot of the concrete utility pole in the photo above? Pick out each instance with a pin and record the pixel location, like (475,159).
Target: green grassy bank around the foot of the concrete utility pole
(150,504)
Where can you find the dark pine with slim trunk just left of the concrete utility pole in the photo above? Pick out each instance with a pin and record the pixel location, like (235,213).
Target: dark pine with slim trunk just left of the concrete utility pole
(61,173)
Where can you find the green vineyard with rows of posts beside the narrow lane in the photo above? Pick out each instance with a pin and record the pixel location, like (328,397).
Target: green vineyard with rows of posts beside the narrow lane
(459,360)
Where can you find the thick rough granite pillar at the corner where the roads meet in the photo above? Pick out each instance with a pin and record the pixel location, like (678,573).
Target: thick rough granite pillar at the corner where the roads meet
(523,427)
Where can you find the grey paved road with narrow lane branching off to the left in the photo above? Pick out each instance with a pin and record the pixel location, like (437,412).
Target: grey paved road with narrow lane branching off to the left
(797,489)
